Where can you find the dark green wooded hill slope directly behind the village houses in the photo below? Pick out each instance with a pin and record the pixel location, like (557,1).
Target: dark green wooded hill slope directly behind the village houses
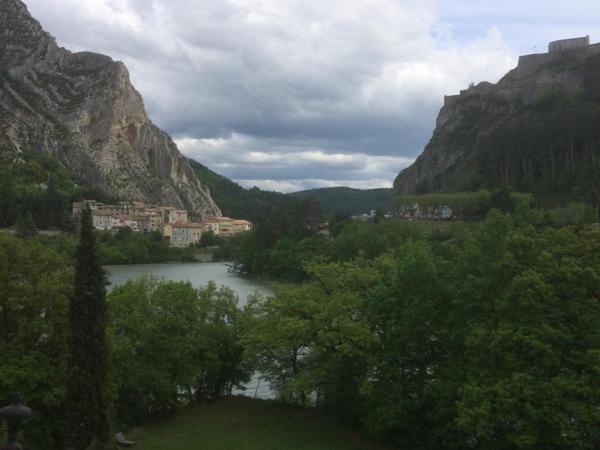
(236,201)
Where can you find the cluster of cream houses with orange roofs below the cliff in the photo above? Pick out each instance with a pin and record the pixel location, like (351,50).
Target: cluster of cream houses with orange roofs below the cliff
(171,222)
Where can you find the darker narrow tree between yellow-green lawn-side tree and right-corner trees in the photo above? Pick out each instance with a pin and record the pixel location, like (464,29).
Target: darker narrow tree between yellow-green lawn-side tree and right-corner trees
(409,310)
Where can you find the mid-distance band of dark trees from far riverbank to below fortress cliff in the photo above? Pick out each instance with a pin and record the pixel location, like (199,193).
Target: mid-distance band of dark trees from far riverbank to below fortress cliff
(277,248)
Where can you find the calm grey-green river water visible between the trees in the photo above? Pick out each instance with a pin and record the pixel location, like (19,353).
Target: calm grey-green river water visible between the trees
(198,274)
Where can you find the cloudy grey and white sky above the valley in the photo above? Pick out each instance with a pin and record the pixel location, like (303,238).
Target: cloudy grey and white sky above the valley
(289,95)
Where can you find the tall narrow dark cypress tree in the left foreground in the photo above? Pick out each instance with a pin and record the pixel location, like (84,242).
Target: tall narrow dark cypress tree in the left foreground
(87,419)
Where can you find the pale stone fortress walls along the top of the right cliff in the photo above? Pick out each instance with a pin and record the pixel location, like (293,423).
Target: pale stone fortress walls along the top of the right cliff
(520,81)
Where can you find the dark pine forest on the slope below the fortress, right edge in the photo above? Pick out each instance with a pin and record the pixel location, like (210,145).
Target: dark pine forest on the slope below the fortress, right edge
(550,147)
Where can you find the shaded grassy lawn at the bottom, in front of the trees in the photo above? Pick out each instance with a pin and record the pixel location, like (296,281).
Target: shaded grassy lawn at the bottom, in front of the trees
(244,424)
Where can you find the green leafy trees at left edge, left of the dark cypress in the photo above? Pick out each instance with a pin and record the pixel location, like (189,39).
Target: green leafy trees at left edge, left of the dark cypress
(36,284)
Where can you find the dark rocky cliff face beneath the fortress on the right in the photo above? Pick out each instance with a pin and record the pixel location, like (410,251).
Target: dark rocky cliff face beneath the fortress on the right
(452,160)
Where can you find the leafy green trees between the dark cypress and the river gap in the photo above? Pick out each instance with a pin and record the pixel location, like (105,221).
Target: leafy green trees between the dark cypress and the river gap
(172,344)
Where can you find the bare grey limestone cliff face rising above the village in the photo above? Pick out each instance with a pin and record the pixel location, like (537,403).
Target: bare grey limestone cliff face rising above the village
(83,109)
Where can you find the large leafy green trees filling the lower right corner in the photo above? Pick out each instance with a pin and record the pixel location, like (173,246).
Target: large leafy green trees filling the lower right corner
(532,361)
